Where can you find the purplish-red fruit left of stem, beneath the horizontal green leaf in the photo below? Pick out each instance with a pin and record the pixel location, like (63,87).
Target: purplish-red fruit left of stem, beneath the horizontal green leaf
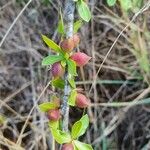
(57,69)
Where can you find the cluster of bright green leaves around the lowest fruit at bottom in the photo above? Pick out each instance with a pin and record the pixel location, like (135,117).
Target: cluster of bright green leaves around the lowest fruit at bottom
(77,130)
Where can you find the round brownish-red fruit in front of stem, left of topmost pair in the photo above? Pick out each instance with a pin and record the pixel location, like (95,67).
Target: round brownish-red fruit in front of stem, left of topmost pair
(67,45)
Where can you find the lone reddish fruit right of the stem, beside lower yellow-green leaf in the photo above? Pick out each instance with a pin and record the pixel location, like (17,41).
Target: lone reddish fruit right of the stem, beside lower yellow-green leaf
(81,101)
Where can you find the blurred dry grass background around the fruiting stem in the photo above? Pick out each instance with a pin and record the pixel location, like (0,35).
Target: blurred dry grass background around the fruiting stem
(120,96)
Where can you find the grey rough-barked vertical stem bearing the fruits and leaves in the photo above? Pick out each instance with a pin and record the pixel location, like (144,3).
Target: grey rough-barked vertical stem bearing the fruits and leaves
(68,21)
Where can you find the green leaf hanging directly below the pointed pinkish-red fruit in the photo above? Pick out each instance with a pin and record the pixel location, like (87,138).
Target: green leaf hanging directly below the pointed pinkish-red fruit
(71,67)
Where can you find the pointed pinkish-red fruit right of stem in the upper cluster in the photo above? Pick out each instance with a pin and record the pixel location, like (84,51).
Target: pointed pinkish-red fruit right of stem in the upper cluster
(81,59)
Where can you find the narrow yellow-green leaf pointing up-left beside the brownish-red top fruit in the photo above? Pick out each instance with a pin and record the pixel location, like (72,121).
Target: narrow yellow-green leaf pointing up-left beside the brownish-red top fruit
(51,44)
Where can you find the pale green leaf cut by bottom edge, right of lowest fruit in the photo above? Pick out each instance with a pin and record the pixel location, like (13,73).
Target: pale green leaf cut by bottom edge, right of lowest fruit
(82,146)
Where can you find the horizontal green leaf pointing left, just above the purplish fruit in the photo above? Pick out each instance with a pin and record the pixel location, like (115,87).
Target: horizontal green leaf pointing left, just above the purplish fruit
(51,59)
